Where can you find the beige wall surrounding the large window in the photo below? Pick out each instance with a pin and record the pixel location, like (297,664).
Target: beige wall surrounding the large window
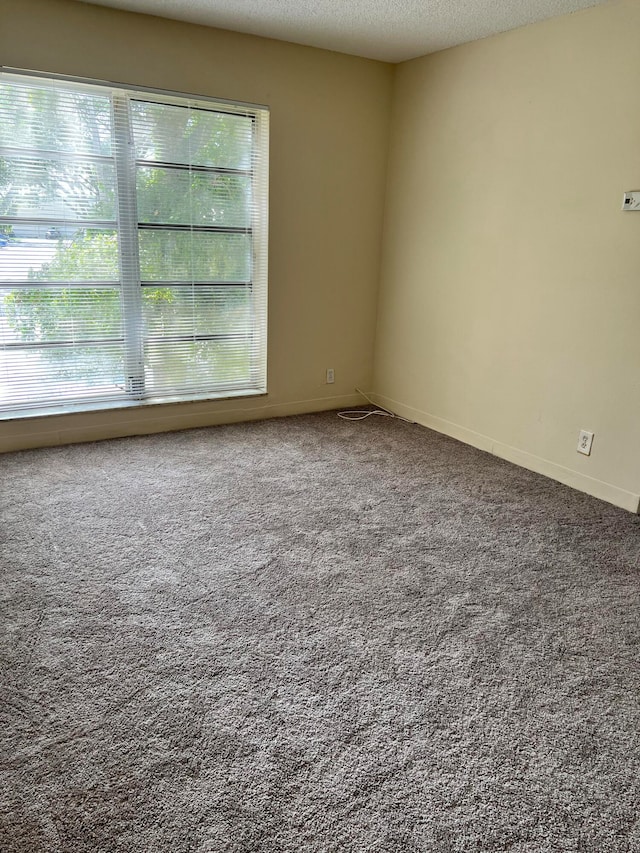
(329,133)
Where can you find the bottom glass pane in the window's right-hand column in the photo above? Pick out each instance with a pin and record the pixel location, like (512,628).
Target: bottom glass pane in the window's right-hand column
(198,365)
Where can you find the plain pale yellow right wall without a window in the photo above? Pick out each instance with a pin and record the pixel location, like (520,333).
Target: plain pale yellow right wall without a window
(509,311)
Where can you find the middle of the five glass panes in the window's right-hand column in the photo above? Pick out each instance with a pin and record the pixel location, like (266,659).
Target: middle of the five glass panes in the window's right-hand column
(191,256)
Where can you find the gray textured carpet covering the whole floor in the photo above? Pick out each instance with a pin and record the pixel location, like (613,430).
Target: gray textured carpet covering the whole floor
(313,635)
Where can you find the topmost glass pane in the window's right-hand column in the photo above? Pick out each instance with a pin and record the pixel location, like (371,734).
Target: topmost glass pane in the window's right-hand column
(171,134)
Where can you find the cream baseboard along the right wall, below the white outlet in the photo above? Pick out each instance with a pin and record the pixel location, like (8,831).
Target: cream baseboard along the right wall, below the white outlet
(597,488)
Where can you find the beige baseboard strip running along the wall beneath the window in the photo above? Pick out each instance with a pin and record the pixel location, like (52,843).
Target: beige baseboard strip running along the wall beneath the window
(76,428)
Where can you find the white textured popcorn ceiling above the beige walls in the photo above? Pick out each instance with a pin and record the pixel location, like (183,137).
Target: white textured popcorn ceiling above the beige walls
(390,30)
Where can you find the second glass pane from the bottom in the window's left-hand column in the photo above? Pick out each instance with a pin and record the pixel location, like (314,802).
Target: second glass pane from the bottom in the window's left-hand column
(59,314)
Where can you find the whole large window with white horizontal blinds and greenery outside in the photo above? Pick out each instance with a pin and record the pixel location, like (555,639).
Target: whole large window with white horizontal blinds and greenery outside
(133,247)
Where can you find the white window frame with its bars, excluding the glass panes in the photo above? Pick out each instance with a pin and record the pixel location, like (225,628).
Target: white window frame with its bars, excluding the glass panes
(128,226)
